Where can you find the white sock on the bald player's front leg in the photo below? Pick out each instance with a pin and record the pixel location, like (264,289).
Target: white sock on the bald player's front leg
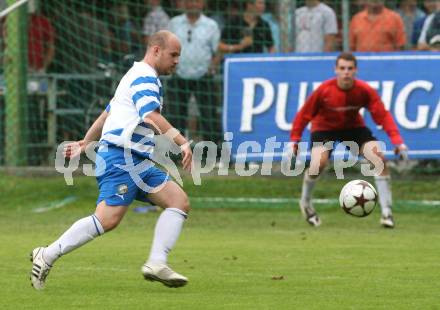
(167,231)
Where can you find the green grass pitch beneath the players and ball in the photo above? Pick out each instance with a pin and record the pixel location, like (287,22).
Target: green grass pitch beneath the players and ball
(237,255)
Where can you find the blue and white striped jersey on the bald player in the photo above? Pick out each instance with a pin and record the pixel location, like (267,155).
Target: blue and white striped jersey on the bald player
(139,93)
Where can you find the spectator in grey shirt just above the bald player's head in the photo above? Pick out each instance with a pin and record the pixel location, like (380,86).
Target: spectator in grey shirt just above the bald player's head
(155,20)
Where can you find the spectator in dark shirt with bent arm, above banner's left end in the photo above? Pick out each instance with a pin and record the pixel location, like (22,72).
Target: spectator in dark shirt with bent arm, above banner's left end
(248,33)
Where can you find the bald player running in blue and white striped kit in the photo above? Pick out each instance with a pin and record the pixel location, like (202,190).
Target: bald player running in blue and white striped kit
(127,131)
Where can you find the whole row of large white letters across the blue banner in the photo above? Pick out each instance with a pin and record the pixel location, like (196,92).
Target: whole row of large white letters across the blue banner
(282,121)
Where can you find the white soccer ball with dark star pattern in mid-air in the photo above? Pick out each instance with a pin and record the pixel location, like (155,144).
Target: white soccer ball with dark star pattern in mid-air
(358,198)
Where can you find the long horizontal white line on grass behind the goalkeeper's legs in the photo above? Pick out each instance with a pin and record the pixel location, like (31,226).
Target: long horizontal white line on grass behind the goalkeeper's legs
(262,200)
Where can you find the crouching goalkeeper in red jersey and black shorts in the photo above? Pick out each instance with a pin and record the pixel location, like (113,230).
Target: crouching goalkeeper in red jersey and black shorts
(333,109)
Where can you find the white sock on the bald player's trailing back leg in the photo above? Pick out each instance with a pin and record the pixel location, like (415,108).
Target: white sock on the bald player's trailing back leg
(81,232)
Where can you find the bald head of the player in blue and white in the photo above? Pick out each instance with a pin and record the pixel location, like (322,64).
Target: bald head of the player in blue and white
(163,52)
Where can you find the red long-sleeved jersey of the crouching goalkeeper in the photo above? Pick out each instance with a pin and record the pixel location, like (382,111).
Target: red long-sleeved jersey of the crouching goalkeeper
(332,108)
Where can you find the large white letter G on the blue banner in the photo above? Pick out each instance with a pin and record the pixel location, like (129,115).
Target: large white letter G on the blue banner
(422,110)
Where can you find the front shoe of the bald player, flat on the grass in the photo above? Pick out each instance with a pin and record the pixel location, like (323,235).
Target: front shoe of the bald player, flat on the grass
(164,274)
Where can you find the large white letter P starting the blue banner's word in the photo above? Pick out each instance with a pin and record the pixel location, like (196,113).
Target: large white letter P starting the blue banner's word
(249,110)
